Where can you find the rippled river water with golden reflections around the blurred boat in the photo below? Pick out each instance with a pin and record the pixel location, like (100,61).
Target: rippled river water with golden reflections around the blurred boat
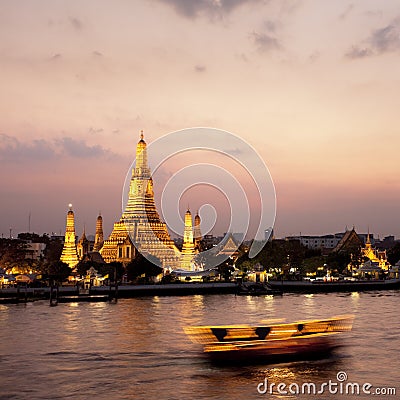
(136,349)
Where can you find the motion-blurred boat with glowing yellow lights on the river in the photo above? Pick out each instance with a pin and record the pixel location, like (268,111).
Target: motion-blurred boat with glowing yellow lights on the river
(271,342)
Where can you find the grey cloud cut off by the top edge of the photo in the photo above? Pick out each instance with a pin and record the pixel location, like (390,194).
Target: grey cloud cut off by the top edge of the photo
(195,8)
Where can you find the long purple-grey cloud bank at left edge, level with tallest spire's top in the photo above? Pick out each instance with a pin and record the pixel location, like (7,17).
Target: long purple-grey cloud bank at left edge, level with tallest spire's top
(12,149)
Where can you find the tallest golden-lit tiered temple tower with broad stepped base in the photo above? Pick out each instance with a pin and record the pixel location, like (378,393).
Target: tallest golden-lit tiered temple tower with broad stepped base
(140,226)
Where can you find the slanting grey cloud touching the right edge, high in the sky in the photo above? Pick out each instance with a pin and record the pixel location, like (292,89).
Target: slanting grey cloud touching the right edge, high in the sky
(383,40)
